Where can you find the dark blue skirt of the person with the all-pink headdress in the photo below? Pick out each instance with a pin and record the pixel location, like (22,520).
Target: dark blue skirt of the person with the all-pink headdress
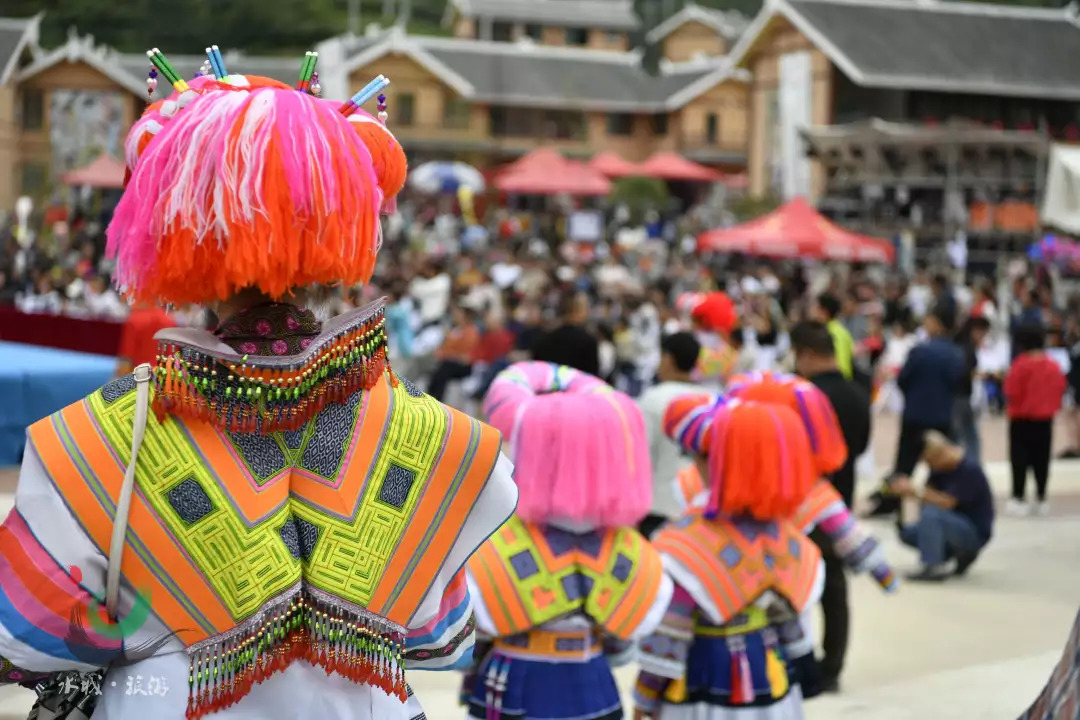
(550,691)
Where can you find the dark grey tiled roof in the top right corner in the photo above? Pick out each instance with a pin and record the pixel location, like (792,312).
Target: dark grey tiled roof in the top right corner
(946,47)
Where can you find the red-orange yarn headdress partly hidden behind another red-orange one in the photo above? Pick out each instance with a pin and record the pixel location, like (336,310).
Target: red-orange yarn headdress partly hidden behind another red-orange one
(814,407)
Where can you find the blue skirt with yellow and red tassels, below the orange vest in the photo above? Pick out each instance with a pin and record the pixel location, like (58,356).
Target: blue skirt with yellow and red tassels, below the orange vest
(742,677)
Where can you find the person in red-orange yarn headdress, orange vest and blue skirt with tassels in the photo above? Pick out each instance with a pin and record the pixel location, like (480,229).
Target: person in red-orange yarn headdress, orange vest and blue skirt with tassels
(744,574)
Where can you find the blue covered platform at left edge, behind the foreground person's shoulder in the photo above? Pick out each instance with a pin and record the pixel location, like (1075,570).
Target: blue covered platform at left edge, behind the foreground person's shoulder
(37,382)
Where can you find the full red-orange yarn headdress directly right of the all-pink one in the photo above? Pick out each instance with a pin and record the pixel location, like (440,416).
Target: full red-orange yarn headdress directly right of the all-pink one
(758,455)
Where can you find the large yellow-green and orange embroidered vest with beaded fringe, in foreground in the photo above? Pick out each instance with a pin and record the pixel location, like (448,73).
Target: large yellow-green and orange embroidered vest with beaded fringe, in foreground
(286,508)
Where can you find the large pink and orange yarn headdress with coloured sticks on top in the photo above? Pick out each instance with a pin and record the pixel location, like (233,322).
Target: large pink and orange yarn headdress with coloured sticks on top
(241,182)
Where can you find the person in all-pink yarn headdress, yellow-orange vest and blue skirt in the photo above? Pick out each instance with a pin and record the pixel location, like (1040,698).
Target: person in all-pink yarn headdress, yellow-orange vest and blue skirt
(565,588)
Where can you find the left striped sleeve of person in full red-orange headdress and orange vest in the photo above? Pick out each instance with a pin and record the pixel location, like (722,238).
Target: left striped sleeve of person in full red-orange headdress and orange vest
(663,655)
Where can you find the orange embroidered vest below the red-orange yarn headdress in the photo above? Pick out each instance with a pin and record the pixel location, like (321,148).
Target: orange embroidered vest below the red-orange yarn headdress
(736,563)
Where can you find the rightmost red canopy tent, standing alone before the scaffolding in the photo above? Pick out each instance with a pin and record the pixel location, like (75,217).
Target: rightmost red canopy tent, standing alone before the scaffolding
(798,230)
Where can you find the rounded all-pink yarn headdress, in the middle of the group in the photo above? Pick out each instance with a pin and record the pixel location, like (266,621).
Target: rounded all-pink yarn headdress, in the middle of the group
(579,447)
